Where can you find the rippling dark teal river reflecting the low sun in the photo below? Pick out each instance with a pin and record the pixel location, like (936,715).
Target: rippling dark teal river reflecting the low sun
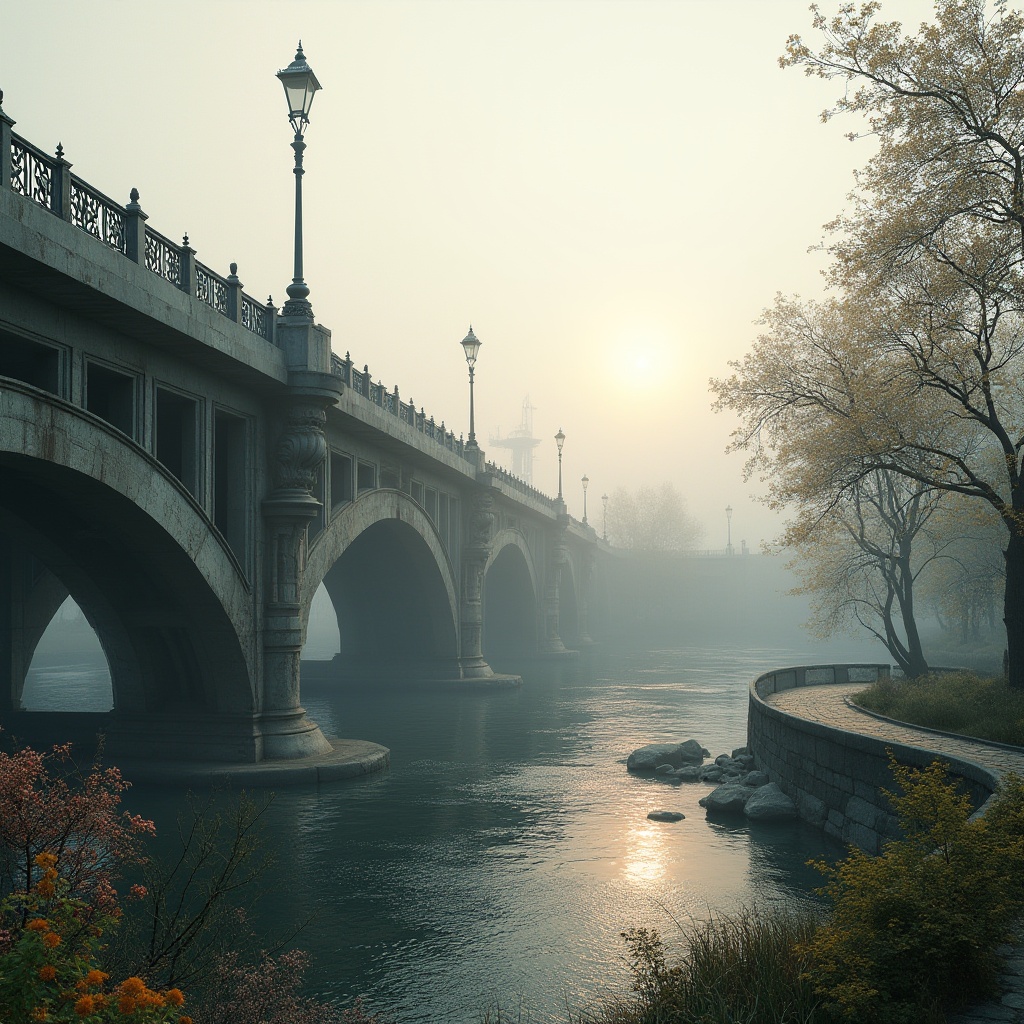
(500,858)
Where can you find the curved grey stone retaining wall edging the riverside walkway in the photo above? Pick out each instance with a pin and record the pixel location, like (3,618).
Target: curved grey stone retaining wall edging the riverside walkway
(837,778)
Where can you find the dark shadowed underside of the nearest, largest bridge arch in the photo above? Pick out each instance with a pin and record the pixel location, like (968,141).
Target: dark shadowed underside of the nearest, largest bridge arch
(180,677)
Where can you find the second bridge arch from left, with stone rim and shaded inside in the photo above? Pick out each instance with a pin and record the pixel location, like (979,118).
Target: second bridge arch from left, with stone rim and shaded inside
(392,583)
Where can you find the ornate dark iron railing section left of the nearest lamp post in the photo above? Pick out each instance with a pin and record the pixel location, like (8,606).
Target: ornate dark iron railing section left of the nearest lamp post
(49,182)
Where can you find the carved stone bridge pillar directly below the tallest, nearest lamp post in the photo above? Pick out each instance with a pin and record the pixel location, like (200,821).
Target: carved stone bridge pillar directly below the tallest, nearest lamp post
(287,513)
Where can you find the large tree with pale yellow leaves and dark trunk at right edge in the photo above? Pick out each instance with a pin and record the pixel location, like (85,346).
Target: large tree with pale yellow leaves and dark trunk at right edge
(916,366)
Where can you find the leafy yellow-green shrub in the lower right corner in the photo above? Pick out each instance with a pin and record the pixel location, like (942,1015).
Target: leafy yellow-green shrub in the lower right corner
(915,929)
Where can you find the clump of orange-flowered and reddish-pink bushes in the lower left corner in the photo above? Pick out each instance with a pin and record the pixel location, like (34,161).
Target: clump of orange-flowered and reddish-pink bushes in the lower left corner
(64,842)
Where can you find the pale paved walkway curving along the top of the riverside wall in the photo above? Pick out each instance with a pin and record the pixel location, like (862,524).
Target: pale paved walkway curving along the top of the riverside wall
(828,705)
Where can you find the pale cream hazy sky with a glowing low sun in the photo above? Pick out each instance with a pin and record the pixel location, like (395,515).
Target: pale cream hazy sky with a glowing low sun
(610,192)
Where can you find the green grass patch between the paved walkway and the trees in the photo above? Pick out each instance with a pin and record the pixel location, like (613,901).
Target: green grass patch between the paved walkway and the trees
(955,702)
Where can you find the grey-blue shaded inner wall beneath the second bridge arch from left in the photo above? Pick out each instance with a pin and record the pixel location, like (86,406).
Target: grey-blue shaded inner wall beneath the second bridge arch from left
(395,616)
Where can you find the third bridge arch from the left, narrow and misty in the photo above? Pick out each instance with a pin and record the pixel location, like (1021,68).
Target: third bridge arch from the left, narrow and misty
(511,591)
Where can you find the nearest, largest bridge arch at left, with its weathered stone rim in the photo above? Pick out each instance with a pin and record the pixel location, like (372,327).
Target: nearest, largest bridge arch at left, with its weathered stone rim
(156,582)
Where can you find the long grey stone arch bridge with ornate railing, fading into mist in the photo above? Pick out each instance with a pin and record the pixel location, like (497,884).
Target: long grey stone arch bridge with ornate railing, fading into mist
(191,465)
